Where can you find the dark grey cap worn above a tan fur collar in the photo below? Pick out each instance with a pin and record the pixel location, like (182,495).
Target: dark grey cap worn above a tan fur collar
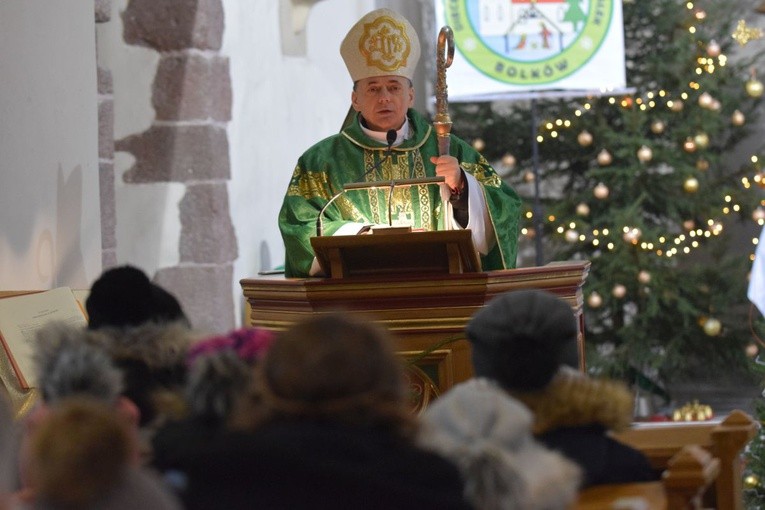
(521,338)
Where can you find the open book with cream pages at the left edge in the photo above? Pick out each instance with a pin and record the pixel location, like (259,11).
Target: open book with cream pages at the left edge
(21,316)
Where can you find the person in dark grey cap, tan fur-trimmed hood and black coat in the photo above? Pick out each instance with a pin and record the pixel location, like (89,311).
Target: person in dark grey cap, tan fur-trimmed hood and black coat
(523,340)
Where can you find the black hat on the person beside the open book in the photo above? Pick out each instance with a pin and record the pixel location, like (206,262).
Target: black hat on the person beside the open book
(124,297)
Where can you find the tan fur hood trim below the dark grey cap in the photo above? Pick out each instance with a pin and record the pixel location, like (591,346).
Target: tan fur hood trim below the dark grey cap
(574,399)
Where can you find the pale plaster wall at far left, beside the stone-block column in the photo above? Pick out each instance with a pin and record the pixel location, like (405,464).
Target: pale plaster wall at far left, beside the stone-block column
(50,231)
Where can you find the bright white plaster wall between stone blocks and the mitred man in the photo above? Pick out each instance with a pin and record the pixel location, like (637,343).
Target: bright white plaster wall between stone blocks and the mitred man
(281,106)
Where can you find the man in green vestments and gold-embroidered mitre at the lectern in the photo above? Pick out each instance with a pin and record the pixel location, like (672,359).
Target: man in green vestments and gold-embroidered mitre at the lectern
(385,139)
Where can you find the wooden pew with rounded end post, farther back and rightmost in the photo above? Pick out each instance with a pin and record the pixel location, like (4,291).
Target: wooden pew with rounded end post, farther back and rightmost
(723,439)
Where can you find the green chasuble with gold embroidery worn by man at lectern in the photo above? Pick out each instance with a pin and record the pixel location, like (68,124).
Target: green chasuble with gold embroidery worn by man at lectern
(345,157)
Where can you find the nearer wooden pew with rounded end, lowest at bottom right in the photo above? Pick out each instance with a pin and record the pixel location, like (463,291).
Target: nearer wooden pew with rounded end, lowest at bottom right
(688,475)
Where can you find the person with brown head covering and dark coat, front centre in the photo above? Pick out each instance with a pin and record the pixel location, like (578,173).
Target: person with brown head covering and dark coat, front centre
(333,430)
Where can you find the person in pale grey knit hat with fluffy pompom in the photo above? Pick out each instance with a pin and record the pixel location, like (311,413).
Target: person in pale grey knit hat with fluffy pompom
(488,435)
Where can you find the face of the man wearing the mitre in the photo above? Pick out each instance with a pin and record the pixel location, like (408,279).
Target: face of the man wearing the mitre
(383,101)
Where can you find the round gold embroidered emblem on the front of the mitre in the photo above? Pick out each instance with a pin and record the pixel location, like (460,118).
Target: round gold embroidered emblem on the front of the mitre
(385,44)
